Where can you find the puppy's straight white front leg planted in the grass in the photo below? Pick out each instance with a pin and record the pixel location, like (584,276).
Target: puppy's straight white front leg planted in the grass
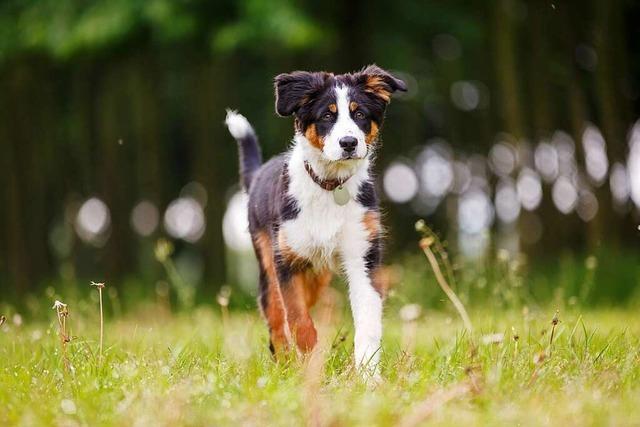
(366,304)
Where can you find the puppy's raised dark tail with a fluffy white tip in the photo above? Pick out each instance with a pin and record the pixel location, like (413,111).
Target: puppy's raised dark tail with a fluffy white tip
(250,156)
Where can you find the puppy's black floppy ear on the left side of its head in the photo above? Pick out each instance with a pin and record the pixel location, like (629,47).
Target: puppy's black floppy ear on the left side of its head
(296,89)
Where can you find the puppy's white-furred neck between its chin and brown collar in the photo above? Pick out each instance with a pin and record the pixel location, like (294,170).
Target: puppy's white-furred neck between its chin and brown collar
(325,169)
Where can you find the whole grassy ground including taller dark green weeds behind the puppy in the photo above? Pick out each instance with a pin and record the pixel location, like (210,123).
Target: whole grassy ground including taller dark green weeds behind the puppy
(531,350)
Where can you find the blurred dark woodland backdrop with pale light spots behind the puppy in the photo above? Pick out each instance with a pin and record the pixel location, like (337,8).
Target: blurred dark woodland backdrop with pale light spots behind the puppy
(517,137)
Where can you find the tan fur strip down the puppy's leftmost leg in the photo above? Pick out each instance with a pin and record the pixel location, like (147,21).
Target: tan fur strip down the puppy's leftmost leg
(274,313)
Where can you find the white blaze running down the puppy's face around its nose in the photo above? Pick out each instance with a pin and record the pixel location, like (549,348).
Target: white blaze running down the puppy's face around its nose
(343,127)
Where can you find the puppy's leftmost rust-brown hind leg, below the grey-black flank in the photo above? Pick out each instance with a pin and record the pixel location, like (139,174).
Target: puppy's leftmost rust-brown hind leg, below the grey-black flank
(270,299)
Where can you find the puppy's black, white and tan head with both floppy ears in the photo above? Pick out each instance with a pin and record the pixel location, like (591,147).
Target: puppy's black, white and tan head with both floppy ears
(340,115)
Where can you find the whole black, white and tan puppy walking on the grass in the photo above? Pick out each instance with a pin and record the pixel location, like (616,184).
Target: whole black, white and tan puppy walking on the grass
(313,210)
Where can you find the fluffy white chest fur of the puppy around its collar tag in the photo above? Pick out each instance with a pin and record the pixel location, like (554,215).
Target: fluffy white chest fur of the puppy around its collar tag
(322,226)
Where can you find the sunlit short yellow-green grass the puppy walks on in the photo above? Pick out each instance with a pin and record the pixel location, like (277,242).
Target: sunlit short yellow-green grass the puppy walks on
(160,368)
